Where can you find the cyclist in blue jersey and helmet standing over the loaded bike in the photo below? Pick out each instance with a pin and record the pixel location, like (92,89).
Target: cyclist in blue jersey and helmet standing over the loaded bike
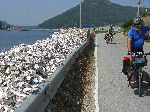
(136,36)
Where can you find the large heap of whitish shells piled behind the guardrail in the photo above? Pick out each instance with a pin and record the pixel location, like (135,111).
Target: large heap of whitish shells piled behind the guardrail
(24,67)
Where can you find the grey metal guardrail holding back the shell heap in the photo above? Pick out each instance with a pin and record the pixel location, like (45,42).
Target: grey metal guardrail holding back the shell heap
(37,101)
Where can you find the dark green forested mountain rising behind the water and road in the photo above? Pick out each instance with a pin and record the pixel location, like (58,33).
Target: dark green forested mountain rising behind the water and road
(95,13)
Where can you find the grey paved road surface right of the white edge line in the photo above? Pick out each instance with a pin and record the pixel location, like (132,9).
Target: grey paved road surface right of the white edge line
(114,93)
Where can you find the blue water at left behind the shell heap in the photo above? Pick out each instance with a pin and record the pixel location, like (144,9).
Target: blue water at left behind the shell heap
(10,39)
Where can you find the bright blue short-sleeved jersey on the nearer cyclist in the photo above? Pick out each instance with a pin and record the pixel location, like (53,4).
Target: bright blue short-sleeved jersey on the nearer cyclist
(138,39)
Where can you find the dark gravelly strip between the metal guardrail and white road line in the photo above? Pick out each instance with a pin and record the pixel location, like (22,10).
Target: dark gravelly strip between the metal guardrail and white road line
(76,92)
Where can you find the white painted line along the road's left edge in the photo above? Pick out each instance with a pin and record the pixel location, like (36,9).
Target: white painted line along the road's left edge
(96,79)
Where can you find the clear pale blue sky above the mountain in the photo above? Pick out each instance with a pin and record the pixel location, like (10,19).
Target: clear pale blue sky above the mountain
(34,12)
